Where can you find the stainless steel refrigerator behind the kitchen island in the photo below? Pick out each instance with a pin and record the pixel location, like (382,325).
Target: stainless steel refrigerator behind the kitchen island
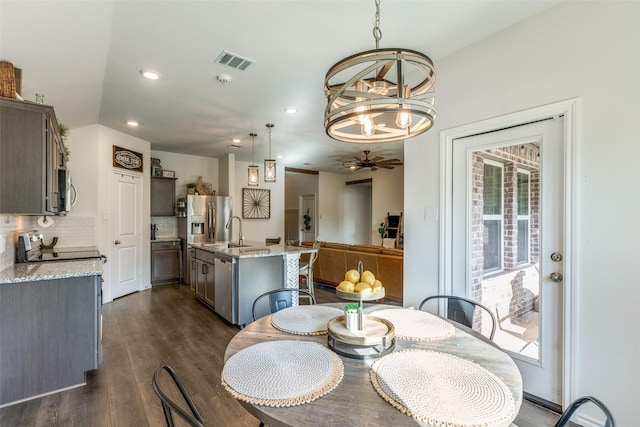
(204,222)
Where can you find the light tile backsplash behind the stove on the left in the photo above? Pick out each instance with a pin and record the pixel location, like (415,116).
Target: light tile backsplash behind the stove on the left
(71,231)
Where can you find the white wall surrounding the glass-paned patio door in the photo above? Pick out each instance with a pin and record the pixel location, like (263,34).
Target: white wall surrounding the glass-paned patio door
(587,50)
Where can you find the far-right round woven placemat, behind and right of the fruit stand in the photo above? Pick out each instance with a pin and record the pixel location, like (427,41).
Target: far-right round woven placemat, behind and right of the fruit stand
(417,325)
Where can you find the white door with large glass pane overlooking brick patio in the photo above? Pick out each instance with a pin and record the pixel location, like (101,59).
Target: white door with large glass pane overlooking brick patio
(507,222)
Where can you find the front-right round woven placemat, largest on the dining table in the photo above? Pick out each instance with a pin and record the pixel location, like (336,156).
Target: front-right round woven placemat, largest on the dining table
(442,390)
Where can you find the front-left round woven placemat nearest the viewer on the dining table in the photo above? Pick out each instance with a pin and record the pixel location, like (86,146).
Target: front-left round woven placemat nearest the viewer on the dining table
(282,373)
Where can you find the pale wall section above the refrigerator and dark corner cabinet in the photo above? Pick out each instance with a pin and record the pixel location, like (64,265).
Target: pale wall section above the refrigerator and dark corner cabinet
(188,169)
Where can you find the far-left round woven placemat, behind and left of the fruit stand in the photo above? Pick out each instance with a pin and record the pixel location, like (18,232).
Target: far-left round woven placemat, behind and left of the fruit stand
(304,319)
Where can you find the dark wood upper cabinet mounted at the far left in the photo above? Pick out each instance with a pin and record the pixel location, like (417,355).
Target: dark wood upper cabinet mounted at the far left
(33,163)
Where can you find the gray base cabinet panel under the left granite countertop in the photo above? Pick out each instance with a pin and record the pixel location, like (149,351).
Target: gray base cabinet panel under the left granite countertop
(50,335)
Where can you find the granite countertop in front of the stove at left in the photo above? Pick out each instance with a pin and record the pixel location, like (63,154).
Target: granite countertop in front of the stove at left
(36,271)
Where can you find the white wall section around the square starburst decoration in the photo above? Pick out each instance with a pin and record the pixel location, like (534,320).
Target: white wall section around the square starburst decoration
(259,229)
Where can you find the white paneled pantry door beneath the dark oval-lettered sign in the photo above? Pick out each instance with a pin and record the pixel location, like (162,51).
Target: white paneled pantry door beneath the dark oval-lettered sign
(127,234)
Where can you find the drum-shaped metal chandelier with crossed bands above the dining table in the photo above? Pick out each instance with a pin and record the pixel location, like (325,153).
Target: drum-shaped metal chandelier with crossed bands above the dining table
(380,95)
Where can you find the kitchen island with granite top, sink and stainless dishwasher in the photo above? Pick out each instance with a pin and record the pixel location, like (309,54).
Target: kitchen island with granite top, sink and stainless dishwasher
(239,274)
